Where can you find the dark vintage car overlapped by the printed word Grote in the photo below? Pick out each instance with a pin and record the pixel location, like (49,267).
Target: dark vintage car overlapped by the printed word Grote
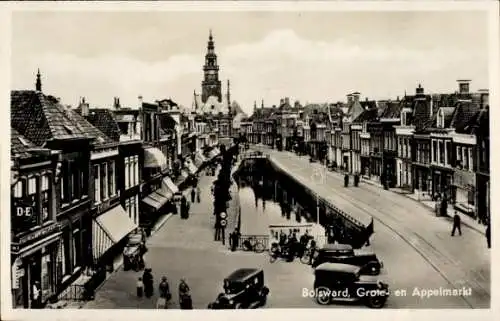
(344,282)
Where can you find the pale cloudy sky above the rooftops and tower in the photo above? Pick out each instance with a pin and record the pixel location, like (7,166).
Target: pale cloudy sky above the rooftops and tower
(312,57)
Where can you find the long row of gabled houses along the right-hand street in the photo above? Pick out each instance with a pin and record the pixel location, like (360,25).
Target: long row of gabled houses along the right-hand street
(429,144)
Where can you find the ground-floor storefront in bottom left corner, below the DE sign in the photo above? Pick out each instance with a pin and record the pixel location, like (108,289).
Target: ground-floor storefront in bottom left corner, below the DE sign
(34,258)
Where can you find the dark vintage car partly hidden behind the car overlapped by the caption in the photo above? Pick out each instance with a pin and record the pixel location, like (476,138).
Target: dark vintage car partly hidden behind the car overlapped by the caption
(344,253)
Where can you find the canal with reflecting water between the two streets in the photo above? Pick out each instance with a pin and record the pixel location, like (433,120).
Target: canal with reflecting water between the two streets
(271,198)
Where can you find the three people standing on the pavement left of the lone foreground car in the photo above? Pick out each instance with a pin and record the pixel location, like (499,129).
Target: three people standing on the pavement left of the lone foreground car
(145,287)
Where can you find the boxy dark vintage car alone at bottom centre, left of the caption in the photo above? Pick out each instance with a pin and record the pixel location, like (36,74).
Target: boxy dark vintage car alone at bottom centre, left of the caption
(243,289)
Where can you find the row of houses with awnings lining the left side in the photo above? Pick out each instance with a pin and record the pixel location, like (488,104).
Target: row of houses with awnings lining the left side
(84,178)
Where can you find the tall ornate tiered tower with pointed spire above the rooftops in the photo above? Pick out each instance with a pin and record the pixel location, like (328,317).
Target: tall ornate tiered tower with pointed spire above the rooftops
(211,85)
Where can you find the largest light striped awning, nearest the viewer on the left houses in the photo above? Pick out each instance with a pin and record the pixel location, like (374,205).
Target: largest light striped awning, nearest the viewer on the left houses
(110,228)
